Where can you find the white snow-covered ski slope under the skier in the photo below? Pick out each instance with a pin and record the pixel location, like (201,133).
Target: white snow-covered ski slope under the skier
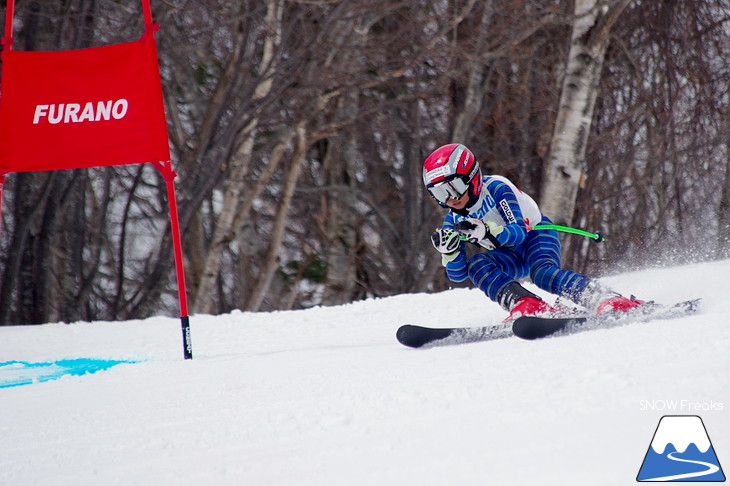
(327,396)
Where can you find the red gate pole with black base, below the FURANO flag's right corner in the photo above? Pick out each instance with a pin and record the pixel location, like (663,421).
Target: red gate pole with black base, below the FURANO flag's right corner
(169,175)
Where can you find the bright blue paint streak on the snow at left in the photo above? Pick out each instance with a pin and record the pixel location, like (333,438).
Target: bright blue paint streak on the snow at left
(16,373)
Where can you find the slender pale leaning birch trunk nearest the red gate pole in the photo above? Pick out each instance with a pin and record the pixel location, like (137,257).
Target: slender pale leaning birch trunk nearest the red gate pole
(224,230)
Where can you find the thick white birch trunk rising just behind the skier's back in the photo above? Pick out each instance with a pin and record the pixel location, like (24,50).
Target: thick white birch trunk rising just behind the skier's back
(564,170)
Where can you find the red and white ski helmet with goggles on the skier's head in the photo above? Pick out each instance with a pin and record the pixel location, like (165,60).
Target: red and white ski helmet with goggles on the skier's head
(451,171)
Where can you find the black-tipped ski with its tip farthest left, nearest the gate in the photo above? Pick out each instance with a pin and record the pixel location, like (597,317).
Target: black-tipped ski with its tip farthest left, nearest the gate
(419,336)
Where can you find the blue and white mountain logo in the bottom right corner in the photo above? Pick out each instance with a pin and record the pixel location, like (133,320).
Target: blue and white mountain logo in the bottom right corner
(681,451)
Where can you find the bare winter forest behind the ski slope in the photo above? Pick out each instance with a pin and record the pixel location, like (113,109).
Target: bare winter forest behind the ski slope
(299,127)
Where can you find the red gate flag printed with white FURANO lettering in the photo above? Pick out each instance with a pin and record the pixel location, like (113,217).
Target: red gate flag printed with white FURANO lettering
(82,108)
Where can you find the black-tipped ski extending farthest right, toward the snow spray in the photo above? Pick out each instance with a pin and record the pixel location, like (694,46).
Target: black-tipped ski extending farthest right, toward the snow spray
(531,327)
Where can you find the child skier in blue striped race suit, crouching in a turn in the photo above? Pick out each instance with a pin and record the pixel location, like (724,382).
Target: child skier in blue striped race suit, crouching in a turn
(491,212)
